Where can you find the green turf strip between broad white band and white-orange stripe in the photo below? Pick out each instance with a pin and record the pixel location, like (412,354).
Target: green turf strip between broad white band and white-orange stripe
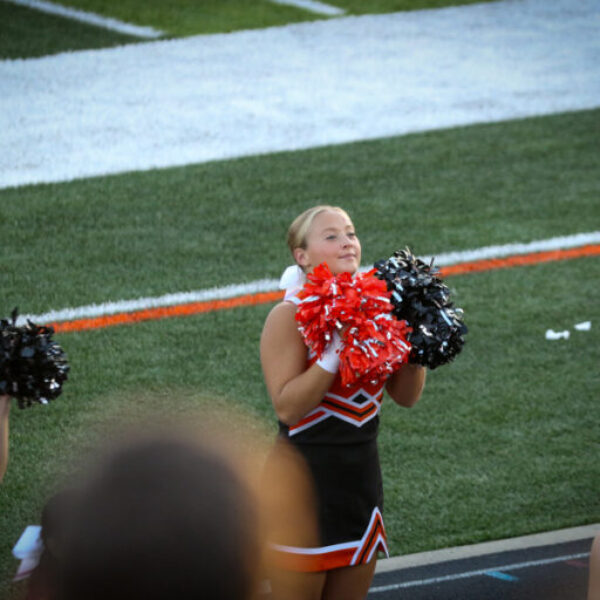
(203,226)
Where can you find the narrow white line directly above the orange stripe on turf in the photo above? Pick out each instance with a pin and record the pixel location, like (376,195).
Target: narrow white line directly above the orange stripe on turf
(267,285)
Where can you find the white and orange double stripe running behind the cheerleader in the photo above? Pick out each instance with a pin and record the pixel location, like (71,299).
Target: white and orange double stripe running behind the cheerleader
(262,291)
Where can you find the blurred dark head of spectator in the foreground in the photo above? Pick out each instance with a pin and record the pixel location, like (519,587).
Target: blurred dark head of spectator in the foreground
(162,517)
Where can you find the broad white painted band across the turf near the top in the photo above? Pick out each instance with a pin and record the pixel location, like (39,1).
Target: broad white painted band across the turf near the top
(334,81)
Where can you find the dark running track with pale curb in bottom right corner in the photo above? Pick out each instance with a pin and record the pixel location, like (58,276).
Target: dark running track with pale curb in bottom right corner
(551,566)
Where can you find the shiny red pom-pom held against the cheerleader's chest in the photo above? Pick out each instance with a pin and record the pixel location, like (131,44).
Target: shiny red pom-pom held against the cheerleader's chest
(375,344)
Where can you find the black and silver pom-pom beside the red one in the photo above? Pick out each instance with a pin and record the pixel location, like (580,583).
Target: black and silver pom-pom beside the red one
(422,299)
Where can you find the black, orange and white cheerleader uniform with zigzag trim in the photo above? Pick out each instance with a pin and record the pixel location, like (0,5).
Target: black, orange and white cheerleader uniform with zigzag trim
(338,441)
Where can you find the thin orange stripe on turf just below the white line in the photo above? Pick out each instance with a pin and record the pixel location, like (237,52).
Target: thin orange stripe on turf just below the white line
(194,308)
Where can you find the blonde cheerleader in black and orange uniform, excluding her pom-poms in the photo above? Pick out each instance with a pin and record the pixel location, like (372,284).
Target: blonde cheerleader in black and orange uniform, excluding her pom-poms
(332,426)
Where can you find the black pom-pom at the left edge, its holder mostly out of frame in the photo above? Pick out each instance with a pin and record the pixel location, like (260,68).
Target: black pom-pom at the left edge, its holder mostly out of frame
(33,367)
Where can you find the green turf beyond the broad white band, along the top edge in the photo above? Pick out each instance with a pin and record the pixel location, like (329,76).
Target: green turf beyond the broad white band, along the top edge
(176,19)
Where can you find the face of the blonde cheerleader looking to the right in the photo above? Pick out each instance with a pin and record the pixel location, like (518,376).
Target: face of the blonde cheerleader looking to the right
(331,239)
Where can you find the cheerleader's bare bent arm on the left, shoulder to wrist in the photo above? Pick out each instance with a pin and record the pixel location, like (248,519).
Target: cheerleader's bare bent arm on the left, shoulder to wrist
(294,389)
